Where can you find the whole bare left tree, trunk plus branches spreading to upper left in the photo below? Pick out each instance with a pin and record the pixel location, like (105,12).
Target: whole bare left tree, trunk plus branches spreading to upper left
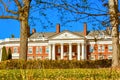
(20,13)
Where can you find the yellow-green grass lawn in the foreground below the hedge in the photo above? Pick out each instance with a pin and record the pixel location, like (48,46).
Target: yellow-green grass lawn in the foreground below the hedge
(60,74)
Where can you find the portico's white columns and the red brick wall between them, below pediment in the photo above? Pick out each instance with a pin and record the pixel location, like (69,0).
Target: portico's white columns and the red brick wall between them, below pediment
(67,51)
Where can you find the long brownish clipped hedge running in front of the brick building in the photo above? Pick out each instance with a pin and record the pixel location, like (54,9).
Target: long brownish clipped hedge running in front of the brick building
(57,64)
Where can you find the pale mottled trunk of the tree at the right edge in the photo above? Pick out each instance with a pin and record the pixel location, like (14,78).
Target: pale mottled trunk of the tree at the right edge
(113,10)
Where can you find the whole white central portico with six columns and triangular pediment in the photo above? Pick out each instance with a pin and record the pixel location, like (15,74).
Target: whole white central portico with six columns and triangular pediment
(67,46)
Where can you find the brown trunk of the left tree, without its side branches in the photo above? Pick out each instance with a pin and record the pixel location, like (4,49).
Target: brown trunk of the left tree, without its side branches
(23,16)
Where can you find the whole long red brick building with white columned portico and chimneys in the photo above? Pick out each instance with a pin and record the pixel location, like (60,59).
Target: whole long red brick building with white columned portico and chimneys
(65,45)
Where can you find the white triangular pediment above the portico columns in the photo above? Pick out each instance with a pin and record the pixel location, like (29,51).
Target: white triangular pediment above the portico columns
(66,35)
